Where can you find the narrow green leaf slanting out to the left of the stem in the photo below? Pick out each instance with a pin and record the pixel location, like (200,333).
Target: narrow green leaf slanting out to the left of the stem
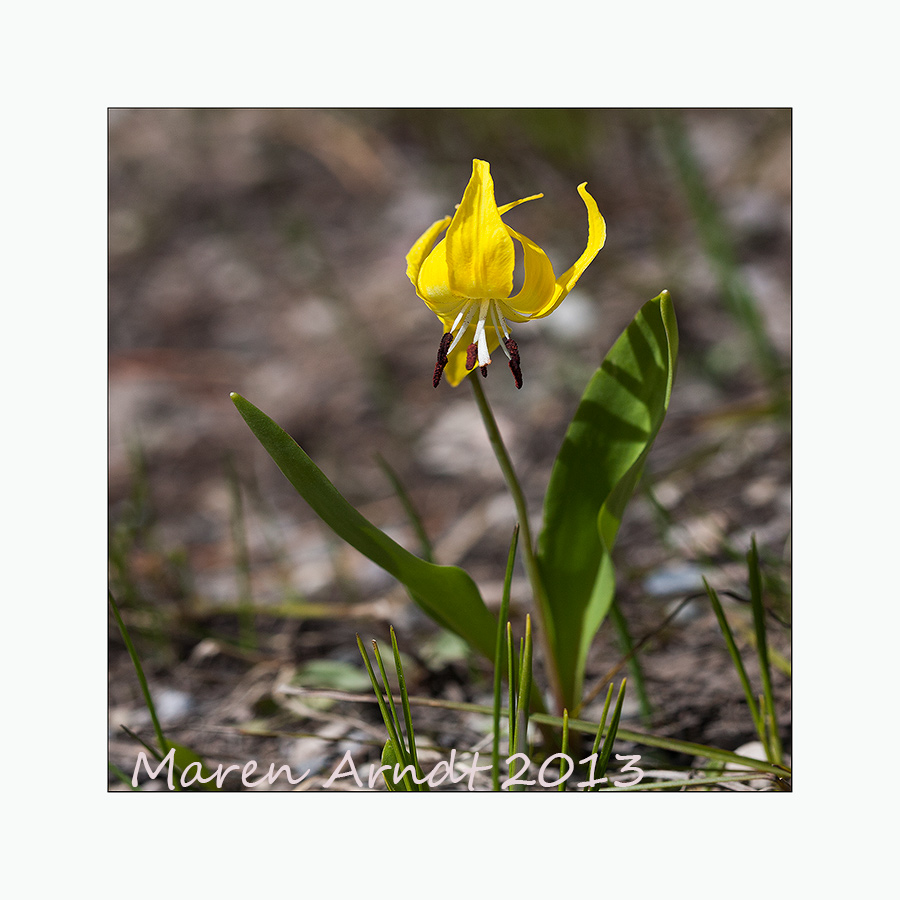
(446,593)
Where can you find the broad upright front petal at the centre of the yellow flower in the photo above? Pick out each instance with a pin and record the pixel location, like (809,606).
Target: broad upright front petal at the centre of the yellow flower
(480,252)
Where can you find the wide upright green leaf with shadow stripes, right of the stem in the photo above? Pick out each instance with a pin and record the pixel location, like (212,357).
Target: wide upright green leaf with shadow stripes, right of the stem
(594,475)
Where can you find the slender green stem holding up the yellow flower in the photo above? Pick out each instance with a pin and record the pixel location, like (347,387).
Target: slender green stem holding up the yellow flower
(542,604)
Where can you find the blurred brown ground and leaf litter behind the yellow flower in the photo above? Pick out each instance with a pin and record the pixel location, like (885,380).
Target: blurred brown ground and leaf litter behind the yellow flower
(262,251)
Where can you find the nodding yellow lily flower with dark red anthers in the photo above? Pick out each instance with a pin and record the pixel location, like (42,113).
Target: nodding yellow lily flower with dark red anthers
(466,280)
